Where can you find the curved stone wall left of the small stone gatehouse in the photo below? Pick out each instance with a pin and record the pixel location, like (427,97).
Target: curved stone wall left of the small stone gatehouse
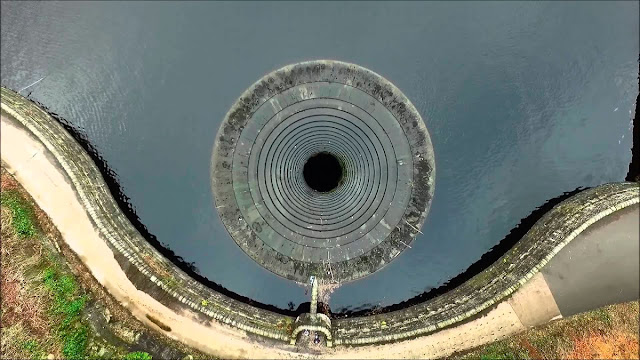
(143,264)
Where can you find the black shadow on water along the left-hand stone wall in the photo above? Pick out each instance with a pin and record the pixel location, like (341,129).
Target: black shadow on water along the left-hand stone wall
(124,203)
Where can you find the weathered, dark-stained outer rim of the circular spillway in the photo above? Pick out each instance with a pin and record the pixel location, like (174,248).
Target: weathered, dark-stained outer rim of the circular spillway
(302,76)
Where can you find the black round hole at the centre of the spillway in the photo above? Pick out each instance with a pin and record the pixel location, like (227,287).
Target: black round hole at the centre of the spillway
(322,172)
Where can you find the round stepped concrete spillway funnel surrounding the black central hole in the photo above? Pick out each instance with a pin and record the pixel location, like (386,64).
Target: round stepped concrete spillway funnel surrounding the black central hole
(385,157)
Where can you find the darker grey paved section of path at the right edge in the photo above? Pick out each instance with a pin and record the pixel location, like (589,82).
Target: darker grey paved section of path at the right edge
(599,267)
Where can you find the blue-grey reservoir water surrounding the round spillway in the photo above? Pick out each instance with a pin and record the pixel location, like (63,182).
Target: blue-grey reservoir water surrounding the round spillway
(524,101)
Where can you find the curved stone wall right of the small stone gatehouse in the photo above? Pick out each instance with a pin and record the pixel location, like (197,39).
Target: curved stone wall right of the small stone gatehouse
(545,239)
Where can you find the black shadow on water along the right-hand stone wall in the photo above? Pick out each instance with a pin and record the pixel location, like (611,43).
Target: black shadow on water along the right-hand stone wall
(485,261)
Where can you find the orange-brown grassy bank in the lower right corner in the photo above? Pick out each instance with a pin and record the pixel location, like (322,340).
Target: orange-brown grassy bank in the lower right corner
(610,332)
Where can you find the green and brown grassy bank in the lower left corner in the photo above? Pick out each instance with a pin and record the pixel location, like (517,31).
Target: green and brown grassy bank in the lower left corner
(51,306)
